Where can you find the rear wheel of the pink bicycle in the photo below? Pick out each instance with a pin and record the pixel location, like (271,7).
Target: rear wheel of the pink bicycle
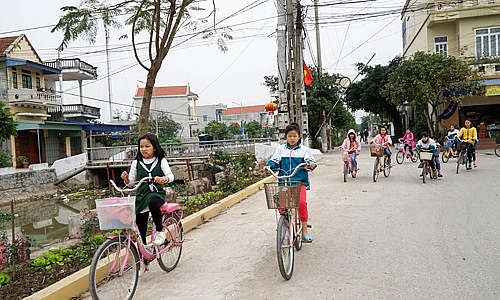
(170,252)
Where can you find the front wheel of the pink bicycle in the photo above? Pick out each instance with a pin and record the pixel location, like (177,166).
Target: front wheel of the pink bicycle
(114,271)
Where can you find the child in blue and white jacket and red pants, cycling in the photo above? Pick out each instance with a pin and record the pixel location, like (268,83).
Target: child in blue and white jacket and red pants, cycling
(286,157)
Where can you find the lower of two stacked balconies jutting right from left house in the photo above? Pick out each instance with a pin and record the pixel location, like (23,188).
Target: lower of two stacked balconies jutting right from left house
(76,112)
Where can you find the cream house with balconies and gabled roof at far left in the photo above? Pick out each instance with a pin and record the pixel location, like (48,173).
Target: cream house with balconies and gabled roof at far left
(29,87)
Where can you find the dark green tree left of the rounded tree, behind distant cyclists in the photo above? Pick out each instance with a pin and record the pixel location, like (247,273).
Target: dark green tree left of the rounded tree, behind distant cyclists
(367,95)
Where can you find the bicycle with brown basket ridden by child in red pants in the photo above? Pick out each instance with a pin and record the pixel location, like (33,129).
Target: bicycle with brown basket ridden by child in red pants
(284,196)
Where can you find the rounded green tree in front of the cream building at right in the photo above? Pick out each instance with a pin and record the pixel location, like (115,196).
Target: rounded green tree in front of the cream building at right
(428,80)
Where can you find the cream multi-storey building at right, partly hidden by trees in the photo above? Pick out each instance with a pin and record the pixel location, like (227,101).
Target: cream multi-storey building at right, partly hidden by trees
(467,29)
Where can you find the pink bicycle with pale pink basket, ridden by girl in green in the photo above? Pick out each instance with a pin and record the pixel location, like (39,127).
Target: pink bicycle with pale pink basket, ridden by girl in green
(116,265)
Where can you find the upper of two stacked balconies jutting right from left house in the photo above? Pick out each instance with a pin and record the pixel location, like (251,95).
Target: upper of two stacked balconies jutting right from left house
(74,69)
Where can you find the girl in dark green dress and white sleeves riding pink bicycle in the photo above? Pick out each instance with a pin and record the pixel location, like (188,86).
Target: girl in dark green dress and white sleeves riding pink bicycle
(150,162)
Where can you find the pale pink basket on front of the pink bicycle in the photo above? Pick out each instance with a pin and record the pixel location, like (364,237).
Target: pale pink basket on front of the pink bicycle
(115,213)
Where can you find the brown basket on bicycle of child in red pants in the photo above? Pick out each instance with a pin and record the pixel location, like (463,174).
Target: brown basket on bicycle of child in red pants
(283,194)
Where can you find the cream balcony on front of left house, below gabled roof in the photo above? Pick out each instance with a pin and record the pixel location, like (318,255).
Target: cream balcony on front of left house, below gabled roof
(33,97)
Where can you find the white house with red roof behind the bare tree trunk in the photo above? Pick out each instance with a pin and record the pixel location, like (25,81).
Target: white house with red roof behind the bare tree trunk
(176,101)
